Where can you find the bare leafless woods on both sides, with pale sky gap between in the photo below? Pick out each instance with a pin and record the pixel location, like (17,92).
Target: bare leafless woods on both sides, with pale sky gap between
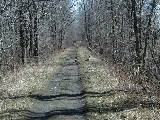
(124,31)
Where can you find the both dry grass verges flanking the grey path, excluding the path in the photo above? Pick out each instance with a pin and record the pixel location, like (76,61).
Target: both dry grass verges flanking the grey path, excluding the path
(107,94)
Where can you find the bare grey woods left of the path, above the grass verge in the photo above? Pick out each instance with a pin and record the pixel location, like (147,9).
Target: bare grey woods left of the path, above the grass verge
(31,29)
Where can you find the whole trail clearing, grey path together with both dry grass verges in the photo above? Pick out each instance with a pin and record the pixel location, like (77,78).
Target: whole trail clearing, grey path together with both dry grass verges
(78,85)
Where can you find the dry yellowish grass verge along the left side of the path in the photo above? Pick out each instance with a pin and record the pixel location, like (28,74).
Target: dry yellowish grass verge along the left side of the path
(29,80)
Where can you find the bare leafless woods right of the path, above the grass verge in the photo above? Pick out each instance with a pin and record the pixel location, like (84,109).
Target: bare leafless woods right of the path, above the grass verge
(126,31)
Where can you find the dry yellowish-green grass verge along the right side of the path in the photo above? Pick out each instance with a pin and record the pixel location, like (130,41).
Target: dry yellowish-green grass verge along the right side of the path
(112,97)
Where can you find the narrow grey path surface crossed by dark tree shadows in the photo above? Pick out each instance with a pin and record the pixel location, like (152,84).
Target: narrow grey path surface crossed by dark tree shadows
(62,98)
